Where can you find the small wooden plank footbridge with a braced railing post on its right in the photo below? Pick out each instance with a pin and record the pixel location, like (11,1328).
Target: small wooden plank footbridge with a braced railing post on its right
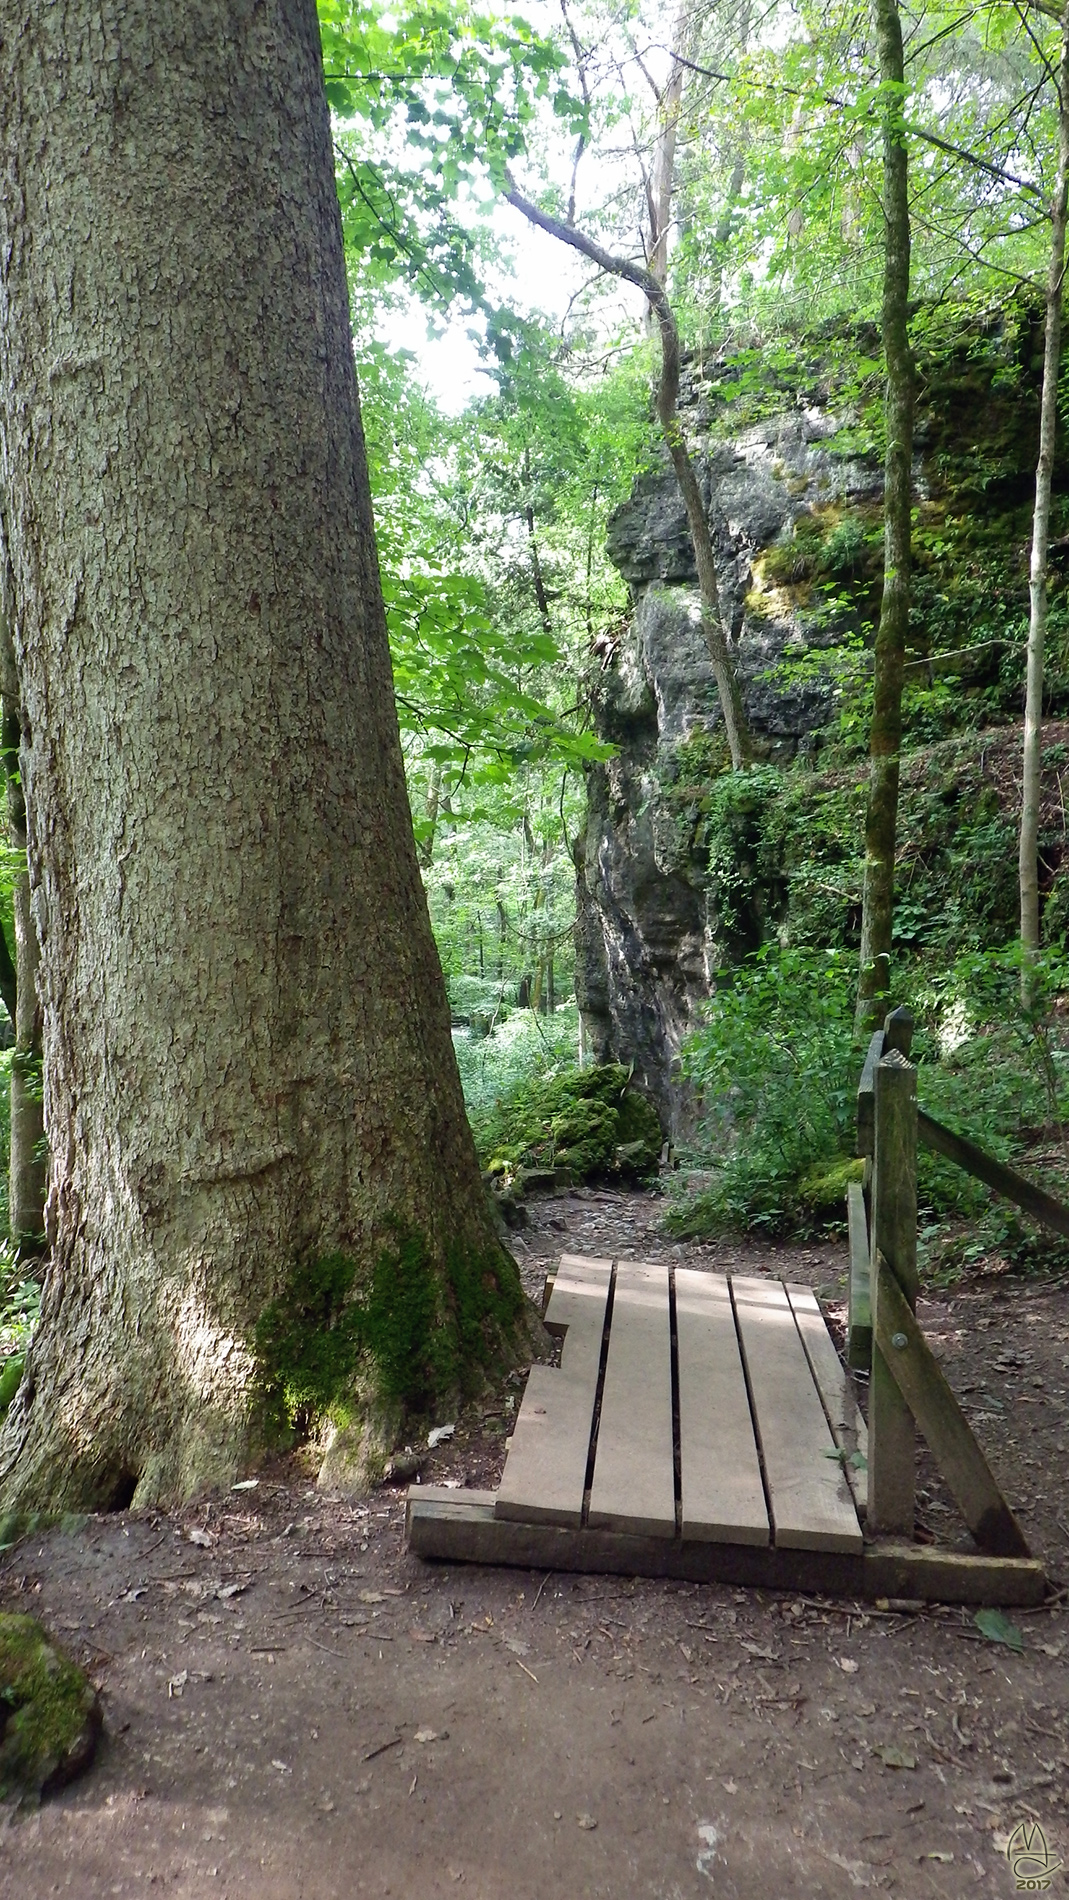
(705,1428)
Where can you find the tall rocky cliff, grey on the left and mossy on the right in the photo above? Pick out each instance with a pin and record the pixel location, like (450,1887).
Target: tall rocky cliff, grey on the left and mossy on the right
(795,503)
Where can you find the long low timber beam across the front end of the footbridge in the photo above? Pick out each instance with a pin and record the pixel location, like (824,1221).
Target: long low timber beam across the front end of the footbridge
(460,1532)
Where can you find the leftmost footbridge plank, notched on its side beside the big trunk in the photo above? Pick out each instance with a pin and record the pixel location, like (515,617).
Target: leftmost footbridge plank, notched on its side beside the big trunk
(546,1470)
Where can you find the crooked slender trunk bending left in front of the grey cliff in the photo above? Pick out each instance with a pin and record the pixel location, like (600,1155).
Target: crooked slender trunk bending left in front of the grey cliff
(722,660)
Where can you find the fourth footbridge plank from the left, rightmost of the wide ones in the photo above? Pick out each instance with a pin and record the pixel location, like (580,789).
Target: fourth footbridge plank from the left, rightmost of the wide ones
(808,1492)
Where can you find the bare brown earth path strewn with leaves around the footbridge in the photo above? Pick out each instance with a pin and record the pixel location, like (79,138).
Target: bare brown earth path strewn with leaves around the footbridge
(301,1711)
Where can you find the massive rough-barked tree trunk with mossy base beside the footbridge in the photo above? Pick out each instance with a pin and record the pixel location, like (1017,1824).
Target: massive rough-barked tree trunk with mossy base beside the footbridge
(248,1042)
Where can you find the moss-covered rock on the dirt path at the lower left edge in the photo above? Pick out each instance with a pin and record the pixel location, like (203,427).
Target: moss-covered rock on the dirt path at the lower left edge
(50,1715)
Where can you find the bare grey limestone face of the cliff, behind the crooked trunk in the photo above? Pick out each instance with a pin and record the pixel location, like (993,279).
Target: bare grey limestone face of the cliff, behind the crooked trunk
(647,938)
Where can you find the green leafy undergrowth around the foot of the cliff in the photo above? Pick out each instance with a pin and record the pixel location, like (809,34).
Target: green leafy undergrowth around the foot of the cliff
(772,1069)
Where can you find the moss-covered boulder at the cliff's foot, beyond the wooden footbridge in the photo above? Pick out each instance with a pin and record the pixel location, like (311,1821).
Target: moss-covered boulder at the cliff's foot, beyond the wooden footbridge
(588,1122)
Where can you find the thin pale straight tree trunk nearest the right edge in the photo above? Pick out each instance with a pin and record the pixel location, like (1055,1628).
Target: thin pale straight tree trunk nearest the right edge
(1041,537)
